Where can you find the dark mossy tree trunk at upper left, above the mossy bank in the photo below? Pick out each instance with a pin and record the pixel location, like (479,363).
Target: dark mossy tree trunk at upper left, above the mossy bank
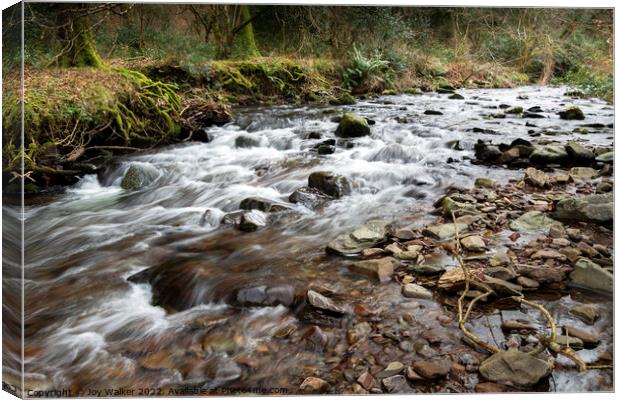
(76,35)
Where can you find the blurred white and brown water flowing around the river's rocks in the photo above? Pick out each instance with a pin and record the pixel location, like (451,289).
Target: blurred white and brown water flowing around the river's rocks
(88,328)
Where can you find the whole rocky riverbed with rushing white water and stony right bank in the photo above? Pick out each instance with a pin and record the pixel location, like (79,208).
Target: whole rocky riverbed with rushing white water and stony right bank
(313,250)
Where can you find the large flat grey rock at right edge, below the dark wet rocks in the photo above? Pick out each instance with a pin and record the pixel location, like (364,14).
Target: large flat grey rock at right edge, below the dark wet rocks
(596,208)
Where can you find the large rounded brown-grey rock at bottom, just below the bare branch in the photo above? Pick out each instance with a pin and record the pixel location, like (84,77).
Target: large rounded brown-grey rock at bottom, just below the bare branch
(514,366)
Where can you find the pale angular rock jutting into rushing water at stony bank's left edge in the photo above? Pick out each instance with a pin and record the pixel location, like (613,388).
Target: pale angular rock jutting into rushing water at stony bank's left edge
(363,237)
